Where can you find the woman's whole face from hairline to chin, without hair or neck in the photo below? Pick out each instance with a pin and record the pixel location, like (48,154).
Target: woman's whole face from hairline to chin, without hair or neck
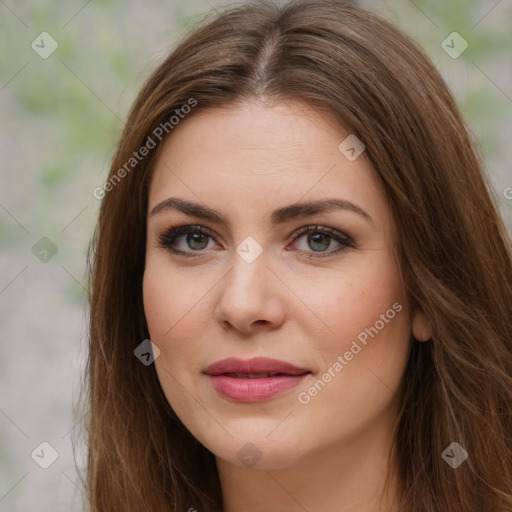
(247,282)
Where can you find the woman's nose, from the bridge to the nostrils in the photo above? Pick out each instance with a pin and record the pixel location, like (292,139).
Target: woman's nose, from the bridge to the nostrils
(250,299)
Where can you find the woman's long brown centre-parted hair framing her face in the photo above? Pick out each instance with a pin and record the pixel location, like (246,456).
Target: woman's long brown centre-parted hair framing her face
(453,251)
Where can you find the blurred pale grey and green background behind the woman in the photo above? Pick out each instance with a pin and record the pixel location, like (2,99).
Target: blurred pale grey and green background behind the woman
(60,120)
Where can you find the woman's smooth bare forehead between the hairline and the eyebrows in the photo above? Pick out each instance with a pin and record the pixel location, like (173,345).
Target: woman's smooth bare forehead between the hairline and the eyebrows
(254,157)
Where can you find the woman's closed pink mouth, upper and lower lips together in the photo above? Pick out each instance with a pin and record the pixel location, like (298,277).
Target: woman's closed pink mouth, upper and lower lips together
(254,389)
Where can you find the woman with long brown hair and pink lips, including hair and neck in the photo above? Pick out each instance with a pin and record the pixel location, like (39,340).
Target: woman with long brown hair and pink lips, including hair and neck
(297,220)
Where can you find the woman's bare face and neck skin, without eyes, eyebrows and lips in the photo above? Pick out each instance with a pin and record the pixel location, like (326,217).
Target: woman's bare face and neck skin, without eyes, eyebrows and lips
(330,454)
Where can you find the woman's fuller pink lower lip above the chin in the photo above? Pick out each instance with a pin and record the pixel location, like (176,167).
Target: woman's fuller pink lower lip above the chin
(254,390)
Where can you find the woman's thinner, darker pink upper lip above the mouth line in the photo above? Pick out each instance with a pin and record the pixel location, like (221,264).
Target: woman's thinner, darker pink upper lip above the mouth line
(255,365)
